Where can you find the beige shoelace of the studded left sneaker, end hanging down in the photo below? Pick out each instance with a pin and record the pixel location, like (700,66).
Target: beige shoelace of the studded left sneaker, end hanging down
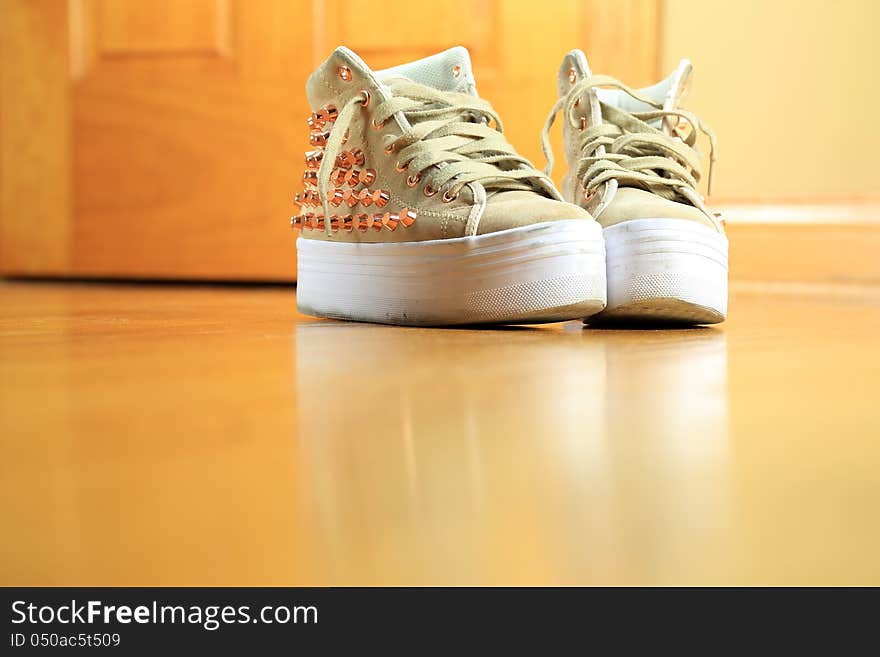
(450,144)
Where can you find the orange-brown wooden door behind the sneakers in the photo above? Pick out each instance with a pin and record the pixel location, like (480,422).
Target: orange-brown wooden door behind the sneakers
(163,139)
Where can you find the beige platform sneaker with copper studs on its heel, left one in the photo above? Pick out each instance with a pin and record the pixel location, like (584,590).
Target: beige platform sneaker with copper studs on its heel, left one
(416,210)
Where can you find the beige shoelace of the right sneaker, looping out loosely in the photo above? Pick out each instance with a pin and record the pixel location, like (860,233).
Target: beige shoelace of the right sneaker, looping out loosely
(626,148)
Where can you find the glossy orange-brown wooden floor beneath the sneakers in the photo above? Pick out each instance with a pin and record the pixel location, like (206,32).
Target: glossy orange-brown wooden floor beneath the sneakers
(211,435)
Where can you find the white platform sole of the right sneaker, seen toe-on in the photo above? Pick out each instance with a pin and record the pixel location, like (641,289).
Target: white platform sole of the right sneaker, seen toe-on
(665,271)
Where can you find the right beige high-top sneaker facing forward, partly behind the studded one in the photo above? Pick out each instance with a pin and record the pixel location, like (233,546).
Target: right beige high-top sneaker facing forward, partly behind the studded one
(633,164)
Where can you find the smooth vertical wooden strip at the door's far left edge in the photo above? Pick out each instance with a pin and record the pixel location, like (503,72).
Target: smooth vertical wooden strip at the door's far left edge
(34,138)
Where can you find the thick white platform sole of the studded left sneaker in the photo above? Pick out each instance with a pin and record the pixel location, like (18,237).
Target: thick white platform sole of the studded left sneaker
(544,272)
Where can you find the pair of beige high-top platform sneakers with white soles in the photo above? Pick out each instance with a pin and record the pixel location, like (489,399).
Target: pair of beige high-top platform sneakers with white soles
(416,210)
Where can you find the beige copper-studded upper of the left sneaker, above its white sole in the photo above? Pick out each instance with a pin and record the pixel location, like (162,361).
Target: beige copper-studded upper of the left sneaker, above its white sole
(411,153)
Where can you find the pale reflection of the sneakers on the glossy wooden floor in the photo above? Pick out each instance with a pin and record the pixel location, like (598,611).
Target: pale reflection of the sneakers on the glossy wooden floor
(510,455)
